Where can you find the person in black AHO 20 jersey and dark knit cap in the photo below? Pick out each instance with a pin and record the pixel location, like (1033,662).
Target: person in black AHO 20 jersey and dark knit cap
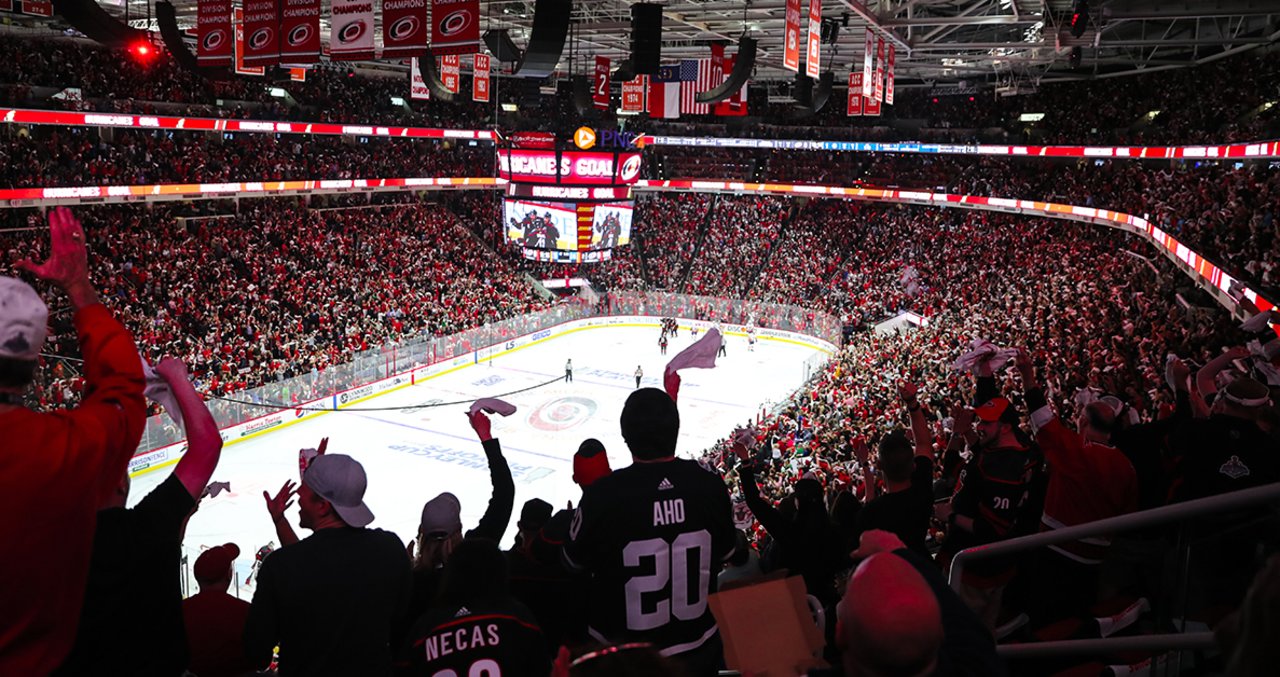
(653,536)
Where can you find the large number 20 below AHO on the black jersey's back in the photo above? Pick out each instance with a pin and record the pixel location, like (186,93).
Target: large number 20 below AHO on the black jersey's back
(684,600)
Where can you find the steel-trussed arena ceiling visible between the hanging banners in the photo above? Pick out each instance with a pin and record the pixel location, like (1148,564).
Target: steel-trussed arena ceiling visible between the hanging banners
(1011,43)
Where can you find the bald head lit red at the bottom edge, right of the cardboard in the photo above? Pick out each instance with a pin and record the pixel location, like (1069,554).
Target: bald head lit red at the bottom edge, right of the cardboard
(890,623)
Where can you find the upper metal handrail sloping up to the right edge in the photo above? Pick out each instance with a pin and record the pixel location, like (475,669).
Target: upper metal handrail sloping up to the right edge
(1165,515)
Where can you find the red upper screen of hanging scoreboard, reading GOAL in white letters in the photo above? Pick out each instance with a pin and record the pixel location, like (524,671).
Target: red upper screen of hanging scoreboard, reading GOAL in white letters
(574,168)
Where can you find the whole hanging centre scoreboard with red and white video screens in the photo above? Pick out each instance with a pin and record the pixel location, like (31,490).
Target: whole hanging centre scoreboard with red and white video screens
(569,200)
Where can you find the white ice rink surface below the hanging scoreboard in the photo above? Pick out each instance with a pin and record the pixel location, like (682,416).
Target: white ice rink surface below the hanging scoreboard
(413,455)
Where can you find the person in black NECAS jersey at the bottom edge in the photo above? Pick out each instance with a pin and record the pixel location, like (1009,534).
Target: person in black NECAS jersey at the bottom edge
(476,628)
